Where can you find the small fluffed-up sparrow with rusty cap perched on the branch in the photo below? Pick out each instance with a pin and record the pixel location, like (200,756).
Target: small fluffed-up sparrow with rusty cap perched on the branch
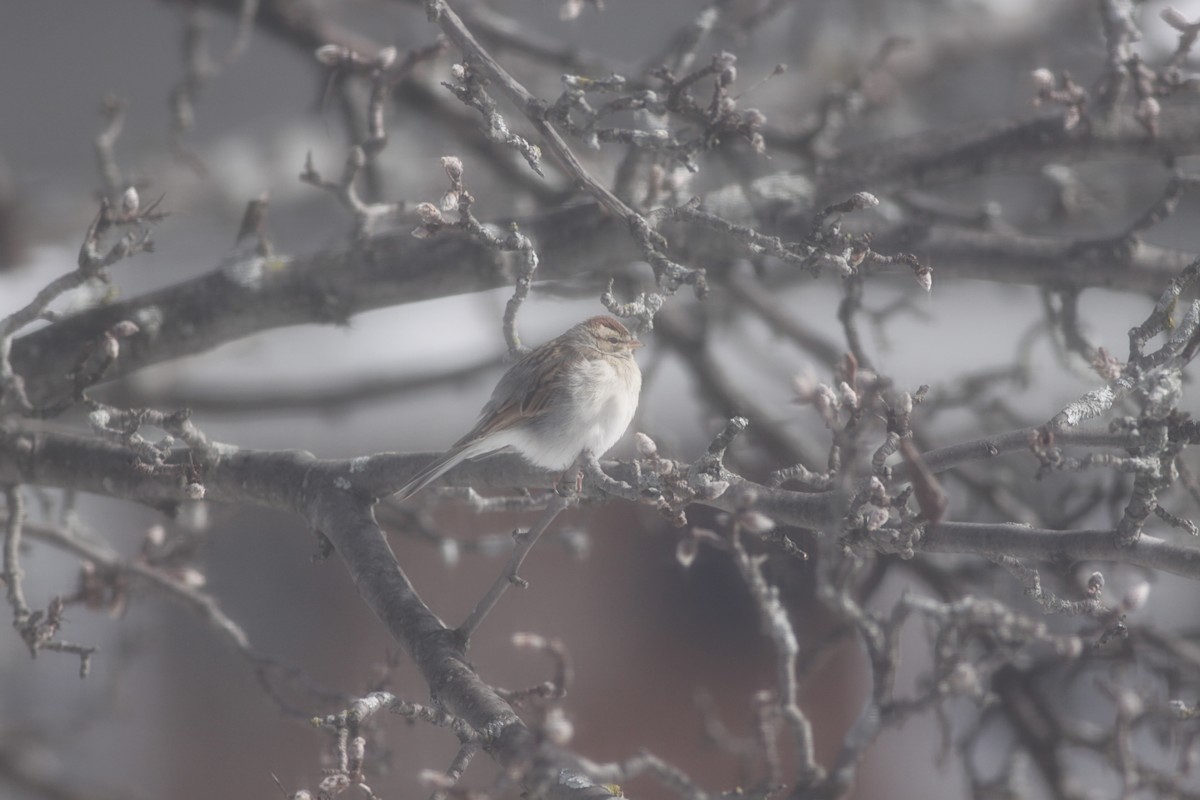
(575,393)
